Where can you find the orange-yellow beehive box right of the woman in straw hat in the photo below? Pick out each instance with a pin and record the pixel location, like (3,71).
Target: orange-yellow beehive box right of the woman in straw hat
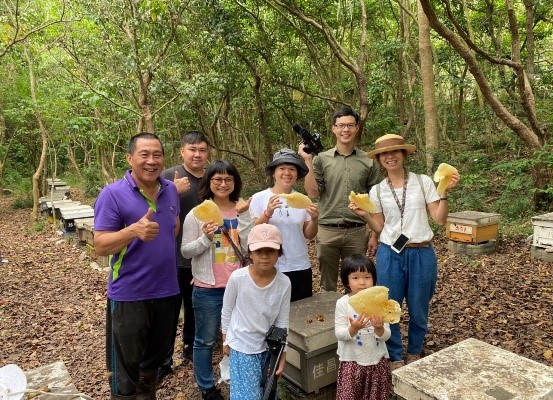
(472,226)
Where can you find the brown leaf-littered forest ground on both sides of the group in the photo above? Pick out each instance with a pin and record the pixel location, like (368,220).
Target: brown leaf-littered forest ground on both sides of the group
(52,305)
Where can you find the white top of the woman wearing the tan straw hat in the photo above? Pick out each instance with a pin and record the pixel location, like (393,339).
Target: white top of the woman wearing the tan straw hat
(415,216)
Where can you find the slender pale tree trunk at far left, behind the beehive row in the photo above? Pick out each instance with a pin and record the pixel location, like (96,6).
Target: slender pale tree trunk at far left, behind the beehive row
(43,134)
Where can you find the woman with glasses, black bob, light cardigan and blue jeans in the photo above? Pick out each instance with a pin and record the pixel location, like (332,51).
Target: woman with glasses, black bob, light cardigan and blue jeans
(213,260)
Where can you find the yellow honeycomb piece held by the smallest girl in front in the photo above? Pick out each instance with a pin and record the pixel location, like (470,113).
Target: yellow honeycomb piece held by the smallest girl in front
(374,301)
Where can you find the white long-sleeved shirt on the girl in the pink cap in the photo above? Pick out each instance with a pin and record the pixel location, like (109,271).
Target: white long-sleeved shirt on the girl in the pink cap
(249,310)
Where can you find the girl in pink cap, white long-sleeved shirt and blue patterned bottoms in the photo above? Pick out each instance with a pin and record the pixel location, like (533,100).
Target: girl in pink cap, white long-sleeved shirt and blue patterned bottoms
(256,298)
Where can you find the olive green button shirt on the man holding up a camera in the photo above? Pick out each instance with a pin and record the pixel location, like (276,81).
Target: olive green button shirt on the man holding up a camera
(336,177)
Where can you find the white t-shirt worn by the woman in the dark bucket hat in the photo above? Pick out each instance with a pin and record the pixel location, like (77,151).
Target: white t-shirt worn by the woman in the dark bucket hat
(290,223)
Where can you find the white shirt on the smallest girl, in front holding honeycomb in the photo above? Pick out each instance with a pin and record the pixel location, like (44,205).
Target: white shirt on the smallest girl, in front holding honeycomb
(365,348)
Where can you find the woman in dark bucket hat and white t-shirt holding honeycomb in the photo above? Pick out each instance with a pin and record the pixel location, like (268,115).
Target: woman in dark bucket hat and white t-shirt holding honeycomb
(296,225)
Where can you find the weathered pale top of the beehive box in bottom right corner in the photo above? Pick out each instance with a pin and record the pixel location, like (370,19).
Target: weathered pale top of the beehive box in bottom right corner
(471,370)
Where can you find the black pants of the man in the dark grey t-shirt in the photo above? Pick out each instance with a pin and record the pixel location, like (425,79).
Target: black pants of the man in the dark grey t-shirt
(189,327)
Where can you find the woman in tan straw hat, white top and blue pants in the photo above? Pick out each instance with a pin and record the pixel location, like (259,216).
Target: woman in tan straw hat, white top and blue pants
(403,200)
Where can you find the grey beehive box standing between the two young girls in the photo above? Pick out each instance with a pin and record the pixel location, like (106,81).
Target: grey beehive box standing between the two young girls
(311,359)
